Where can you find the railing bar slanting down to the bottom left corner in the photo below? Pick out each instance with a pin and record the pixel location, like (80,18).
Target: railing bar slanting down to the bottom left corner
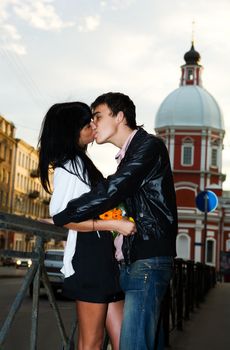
(17,302)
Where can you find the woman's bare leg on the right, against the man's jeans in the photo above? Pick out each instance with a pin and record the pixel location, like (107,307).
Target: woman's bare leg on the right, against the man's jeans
(113,322)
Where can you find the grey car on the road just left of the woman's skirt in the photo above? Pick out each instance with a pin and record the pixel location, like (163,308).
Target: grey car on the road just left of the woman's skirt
(53,263)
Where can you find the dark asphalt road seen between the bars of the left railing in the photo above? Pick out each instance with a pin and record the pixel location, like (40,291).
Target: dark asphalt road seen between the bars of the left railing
(19,336)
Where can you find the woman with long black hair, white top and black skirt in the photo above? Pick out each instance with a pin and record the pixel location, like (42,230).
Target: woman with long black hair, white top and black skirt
(91,272)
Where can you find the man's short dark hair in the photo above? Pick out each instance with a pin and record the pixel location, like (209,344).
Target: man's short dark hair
(117,102)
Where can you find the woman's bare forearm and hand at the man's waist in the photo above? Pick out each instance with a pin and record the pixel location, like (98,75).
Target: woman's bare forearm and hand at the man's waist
(123,226)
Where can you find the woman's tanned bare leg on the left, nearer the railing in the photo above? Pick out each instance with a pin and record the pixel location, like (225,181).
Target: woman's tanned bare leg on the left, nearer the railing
(91,324)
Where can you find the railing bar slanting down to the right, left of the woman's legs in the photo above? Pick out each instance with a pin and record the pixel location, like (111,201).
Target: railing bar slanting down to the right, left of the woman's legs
(54,305)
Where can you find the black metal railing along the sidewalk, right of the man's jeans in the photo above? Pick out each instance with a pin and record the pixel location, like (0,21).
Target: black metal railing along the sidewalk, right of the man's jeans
(189,286)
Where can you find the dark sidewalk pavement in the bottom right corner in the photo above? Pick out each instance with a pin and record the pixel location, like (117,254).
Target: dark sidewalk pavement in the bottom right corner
(209,326)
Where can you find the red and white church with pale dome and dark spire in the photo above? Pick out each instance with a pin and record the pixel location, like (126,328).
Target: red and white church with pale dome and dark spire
(191,123)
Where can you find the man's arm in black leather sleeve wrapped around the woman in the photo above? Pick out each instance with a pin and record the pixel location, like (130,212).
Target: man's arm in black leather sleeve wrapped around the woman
(117,187)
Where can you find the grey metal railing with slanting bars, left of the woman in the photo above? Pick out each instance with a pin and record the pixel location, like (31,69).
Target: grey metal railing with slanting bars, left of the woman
(37,272)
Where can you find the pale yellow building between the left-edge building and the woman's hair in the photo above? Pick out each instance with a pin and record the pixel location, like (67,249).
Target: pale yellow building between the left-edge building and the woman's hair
(28,197)
